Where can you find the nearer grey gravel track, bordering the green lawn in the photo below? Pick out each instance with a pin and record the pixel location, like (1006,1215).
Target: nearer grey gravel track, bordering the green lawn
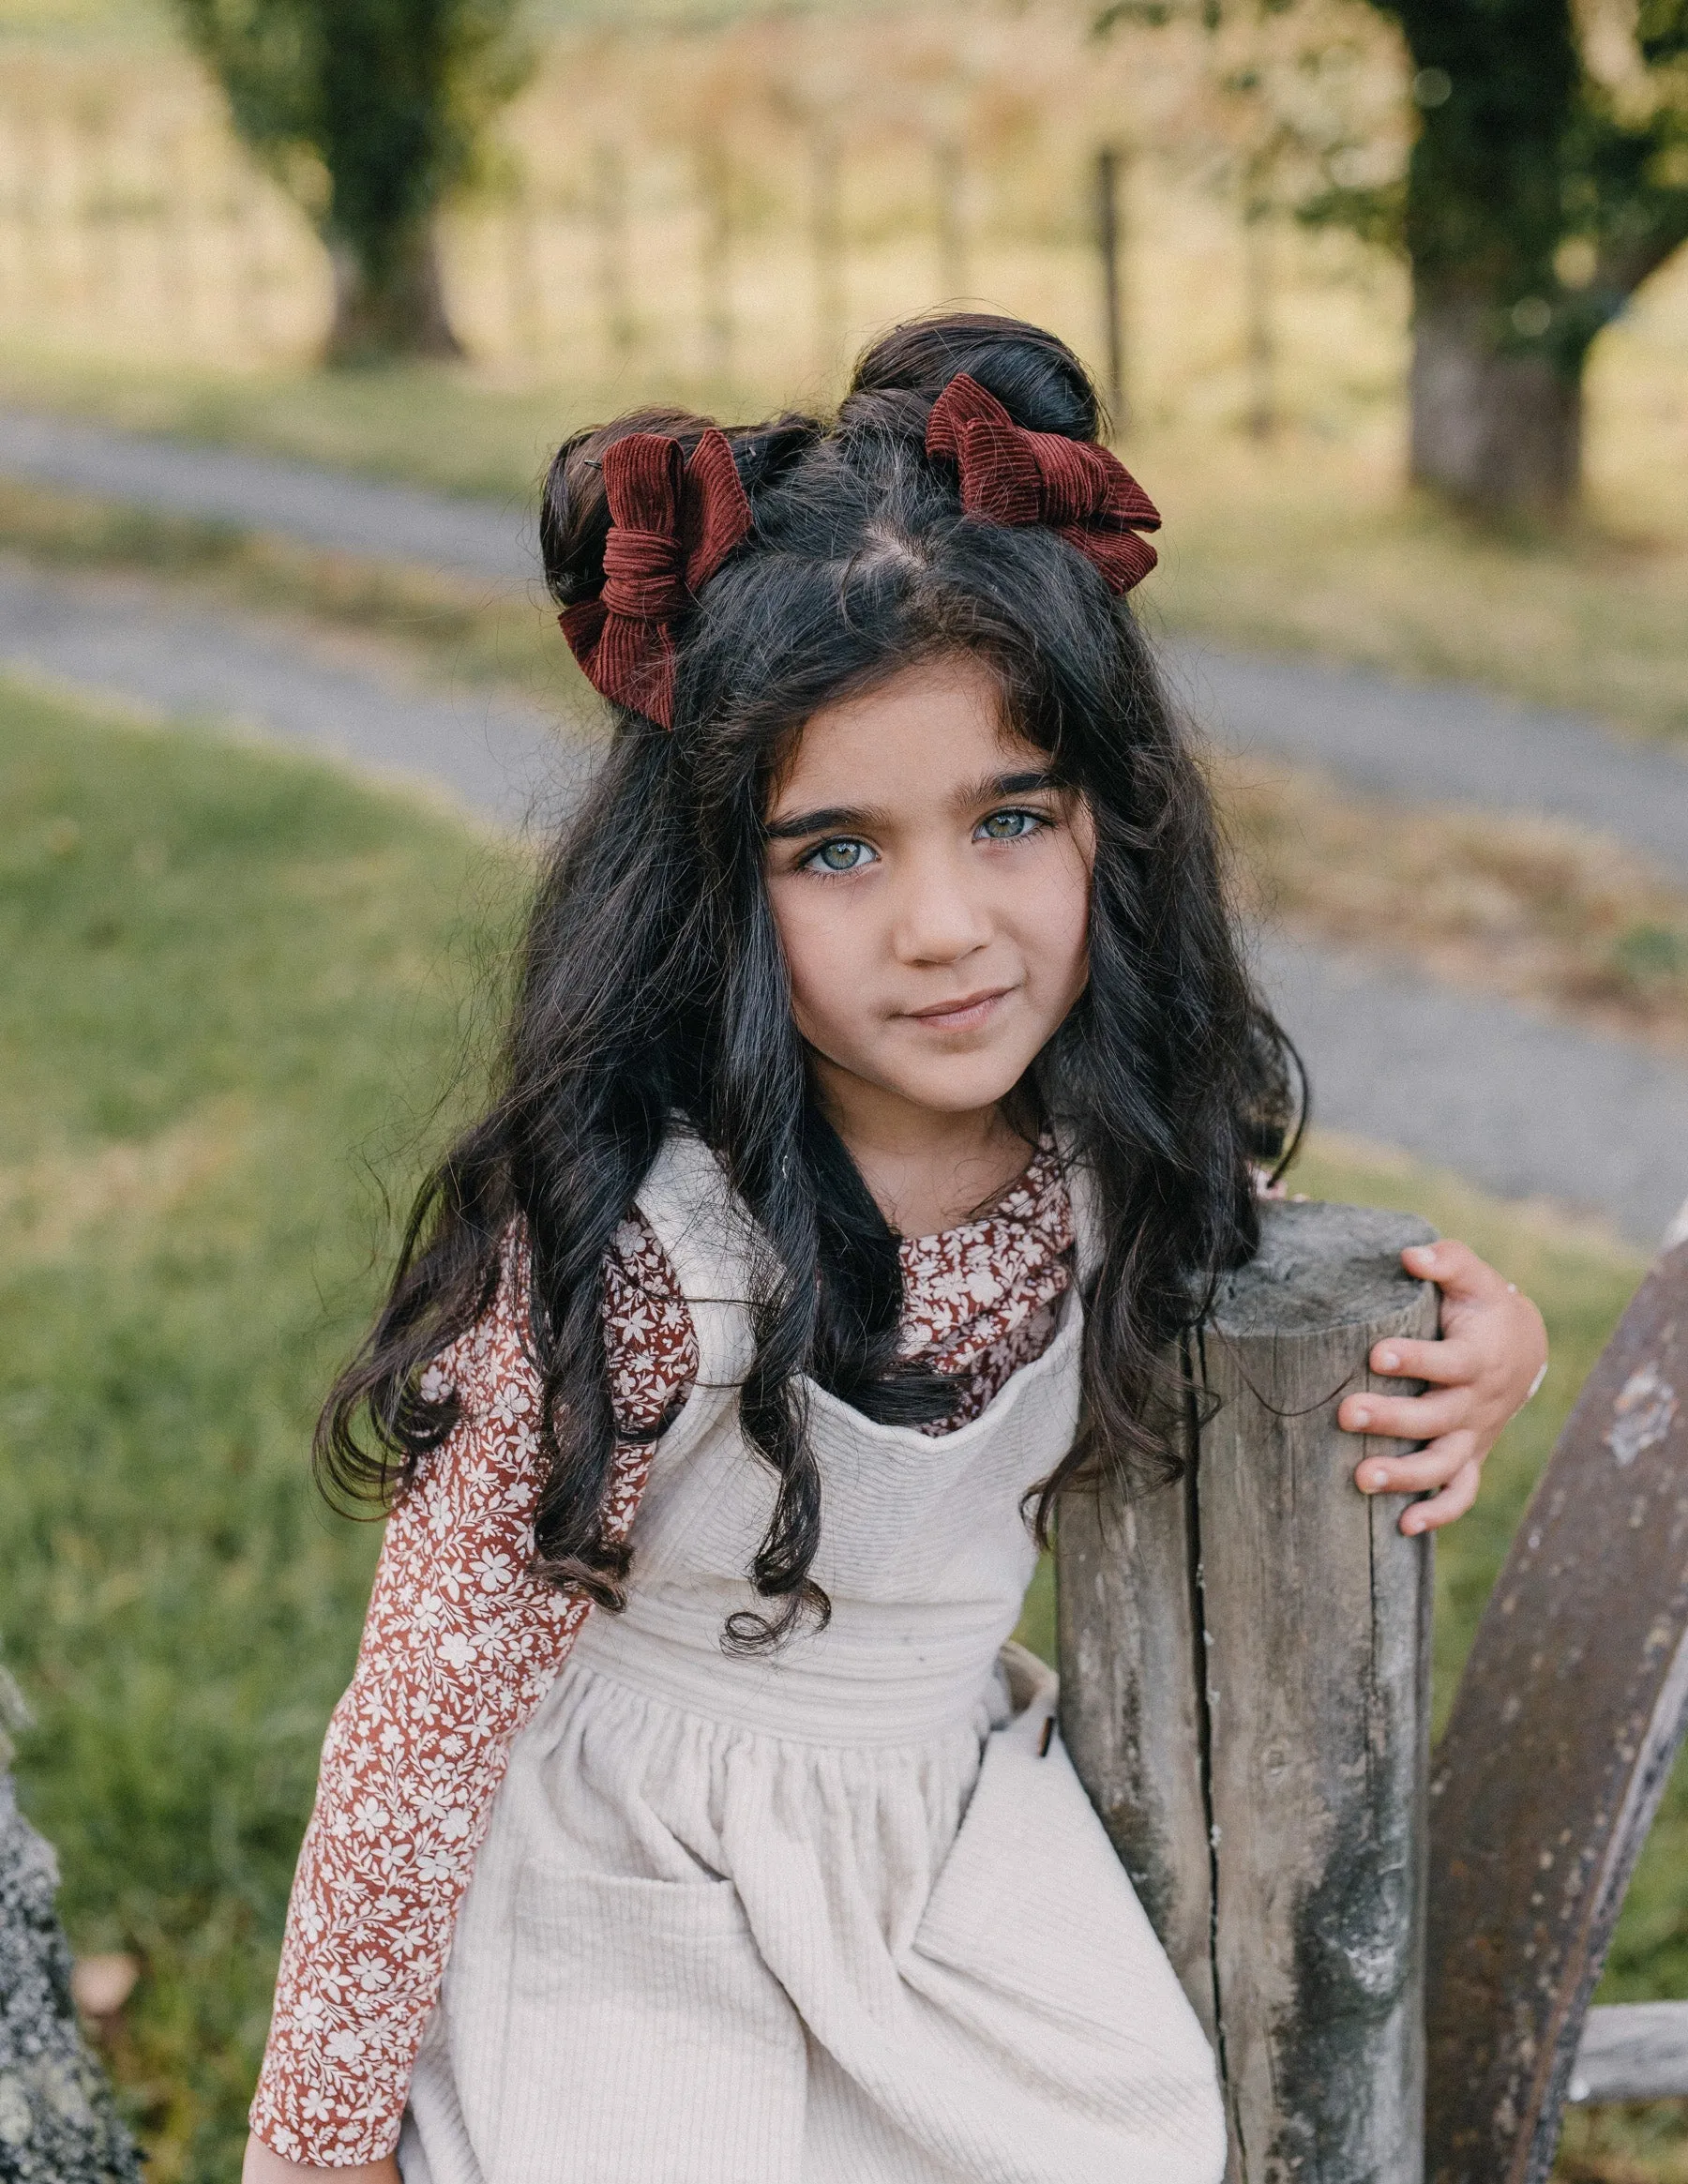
(1475,1084)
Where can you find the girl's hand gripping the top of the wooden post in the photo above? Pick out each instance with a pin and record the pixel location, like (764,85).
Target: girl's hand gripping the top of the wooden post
(1484,1370)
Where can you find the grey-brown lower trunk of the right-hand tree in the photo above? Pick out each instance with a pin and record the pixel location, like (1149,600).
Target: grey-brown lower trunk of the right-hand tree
(1499,431)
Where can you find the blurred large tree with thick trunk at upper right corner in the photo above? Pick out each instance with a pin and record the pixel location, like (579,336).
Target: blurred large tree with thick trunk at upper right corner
(1547,182)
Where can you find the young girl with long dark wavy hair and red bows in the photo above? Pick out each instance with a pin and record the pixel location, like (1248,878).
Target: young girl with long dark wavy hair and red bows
(883,1095)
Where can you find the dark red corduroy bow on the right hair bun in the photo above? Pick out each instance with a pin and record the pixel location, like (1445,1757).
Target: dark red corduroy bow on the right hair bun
(1012,475)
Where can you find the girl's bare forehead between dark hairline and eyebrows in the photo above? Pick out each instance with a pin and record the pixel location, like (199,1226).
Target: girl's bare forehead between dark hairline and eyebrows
(925,733)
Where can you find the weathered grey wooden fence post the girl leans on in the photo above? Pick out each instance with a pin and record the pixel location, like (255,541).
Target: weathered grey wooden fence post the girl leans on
(1246,1692)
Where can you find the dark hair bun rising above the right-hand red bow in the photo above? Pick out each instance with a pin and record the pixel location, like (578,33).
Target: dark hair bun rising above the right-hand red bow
(1036,377)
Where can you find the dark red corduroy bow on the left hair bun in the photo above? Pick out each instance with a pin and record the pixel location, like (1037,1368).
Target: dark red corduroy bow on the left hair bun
(674,521)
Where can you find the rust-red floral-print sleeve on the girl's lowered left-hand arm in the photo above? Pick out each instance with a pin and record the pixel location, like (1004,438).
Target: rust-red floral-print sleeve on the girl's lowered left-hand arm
(457,1652)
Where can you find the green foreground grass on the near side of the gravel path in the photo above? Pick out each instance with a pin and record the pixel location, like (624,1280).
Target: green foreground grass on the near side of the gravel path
(235,990)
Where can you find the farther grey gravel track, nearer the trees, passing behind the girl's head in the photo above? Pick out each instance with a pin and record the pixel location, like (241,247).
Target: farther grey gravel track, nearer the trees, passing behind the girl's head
(1434,744)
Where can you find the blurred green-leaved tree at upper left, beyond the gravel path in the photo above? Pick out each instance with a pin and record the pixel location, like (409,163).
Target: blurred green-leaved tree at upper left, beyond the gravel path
(372,112)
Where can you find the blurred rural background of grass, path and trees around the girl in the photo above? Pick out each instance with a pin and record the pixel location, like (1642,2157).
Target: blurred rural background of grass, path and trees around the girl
(1390,309)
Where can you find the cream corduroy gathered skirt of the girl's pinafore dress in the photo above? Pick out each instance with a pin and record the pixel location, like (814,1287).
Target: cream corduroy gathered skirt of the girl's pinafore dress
(704,1954)
